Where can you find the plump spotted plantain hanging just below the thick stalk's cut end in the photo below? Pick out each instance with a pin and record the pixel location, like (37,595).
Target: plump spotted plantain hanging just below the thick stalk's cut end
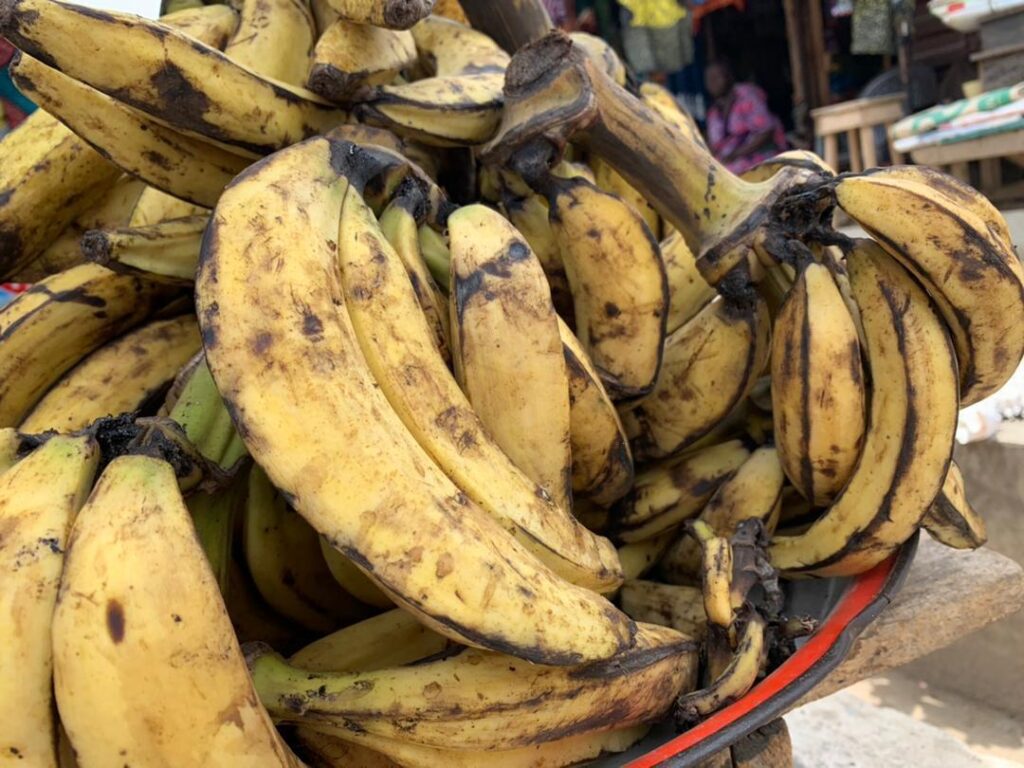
(615,272)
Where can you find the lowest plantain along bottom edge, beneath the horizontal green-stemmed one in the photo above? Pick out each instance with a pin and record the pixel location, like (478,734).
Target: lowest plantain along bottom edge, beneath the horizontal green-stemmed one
(562,752)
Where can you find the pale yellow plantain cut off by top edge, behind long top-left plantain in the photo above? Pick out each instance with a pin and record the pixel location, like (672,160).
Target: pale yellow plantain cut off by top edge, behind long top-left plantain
(275,39)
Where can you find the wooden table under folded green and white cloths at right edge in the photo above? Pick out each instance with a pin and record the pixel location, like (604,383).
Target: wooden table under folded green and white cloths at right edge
(988,151)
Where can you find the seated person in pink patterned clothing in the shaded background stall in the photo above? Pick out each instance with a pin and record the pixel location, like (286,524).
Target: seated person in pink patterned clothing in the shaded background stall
(742,131)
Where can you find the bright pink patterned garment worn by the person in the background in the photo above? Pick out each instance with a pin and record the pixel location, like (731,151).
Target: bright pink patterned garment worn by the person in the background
(748,115)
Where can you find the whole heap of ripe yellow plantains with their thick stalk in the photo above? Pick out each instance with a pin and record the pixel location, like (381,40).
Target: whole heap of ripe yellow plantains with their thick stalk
(386,398)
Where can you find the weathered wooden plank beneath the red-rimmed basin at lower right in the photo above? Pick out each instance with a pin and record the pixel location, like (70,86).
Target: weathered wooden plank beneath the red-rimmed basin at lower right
(948,595)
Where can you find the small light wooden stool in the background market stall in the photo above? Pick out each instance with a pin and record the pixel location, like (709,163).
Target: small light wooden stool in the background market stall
(858,119)
